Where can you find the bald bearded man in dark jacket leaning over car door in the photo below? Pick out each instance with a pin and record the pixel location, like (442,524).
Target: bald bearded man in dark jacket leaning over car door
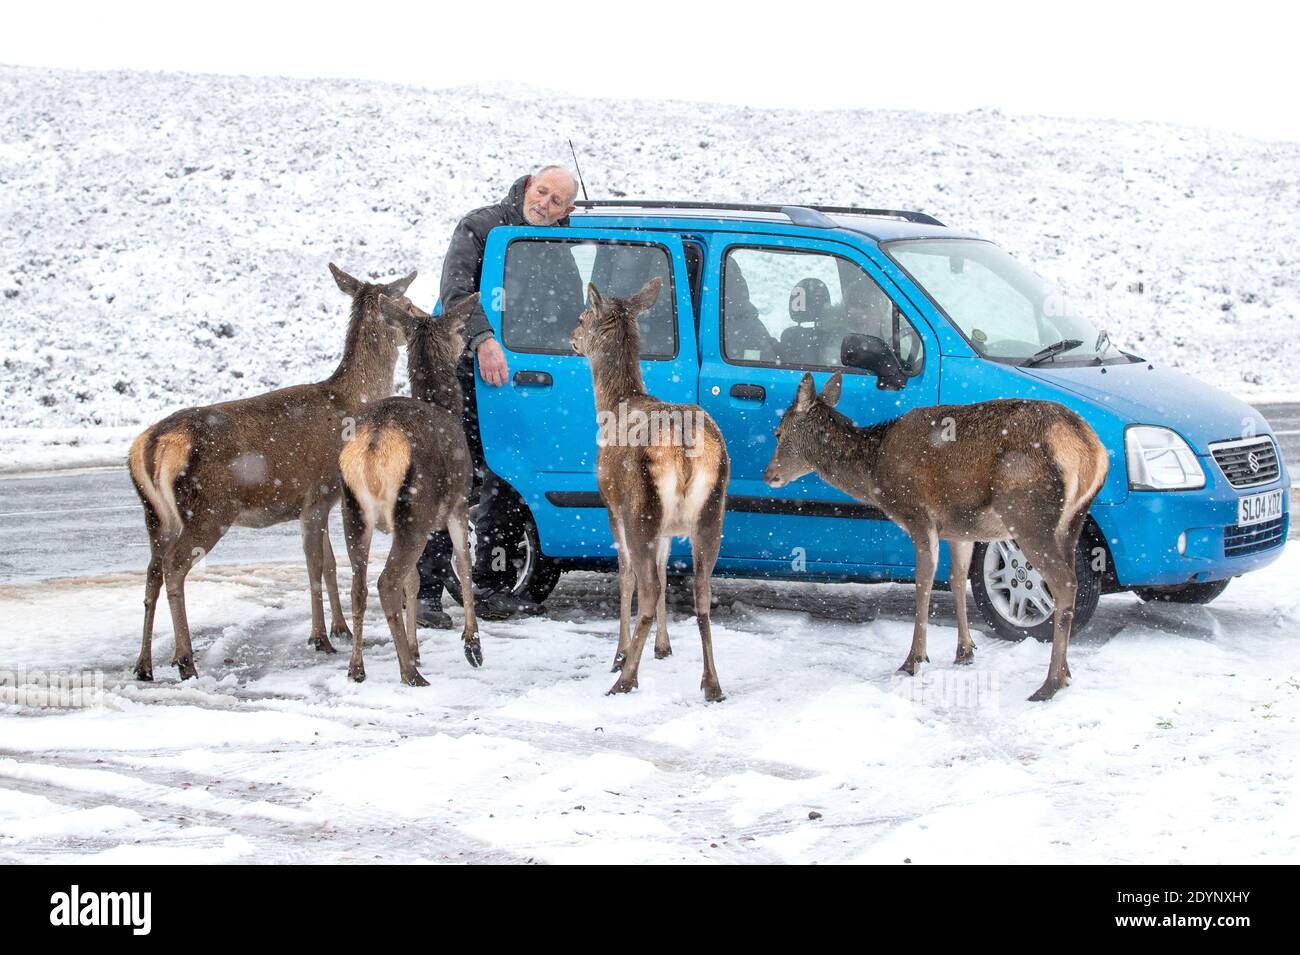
(541,199)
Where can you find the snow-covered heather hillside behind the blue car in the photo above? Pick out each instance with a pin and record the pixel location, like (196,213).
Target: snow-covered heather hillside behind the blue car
(164,238)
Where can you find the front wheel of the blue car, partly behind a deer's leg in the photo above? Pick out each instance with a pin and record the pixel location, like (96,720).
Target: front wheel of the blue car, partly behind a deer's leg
(1013,598)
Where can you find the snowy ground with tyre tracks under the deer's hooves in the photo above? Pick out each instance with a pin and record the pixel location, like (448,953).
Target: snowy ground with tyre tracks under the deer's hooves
(1177,743)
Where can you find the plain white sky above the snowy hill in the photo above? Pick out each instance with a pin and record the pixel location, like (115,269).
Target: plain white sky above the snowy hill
(1232,67)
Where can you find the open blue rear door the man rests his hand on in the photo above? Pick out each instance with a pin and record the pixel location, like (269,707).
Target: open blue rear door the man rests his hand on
(540,429)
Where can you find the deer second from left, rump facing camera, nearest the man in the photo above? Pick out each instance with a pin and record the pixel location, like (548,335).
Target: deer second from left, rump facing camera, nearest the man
(406,471)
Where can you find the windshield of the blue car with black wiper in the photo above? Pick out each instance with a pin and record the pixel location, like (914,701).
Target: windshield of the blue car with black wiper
(1003,309)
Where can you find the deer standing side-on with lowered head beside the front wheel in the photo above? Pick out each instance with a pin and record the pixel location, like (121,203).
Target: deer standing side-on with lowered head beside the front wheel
(960,474)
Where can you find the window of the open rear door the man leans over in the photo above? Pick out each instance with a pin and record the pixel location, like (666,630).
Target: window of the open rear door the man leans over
(545,292)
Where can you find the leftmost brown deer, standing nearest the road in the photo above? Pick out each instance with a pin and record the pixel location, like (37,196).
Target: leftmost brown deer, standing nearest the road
(259,462)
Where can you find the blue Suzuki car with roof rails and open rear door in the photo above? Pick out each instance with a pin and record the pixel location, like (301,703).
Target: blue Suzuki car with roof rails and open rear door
(757,296)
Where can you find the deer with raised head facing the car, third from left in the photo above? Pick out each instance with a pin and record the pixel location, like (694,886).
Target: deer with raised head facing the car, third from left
(662,471)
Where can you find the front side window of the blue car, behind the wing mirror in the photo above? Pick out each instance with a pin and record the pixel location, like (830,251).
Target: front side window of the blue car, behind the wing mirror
(794,309)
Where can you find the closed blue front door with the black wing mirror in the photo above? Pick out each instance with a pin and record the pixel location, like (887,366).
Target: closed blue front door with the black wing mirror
(775,309)
